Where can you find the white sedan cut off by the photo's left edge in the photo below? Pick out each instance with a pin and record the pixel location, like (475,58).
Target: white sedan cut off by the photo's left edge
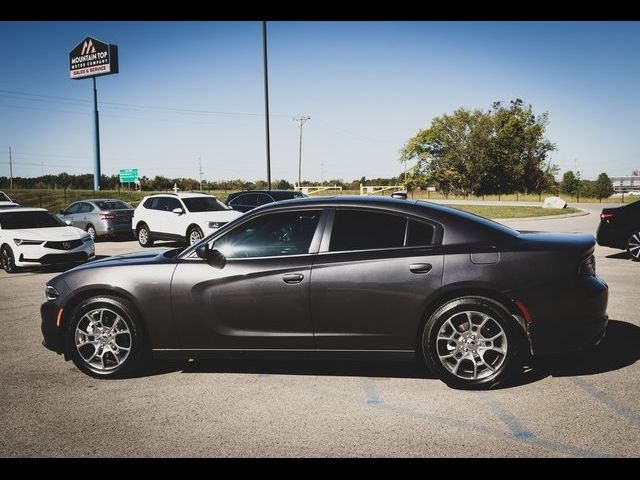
(34,237)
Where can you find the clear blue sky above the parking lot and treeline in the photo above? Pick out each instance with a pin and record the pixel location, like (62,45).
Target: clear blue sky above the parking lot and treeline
(194,90)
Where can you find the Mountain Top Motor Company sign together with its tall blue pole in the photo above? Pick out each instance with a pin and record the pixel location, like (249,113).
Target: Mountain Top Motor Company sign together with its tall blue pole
(90,59)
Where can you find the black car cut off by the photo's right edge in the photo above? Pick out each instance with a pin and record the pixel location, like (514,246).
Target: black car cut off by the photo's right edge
(620,228)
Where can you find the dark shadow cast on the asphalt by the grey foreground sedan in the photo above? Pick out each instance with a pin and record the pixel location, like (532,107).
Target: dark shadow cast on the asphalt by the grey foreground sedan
(618,349)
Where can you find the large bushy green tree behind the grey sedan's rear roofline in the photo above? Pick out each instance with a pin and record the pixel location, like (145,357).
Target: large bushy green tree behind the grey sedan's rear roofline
(501,150)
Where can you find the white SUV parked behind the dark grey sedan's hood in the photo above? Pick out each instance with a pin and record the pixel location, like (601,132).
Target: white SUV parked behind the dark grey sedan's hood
(185,217)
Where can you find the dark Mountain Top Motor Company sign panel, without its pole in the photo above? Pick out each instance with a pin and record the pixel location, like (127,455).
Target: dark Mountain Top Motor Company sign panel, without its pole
(91,58)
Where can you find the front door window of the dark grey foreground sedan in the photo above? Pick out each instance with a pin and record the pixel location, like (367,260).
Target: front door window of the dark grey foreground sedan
(276,234)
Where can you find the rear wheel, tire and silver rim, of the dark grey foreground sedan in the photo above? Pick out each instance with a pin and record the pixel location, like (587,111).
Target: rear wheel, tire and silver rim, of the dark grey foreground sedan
(472,346)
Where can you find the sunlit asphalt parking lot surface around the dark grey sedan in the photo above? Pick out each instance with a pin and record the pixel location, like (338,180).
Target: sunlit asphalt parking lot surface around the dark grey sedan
(579,405)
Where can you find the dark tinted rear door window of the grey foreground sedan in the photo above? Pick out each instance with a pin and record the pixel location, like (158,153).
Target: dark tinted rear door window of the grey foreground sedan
(359,230)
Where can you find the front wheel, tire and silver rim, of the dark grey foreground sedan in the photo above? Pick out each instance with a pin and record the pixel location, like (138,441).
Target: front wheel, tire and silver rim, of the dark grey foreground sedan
(104,338)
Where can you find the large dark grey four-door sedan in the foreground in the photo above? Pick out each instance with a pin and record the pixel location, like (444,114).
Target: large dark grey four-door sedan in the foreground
(338,277)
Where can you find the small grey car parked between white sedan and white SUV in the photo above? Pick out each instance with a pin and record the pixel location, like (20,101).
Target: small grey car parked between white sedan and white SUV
(99,217)
